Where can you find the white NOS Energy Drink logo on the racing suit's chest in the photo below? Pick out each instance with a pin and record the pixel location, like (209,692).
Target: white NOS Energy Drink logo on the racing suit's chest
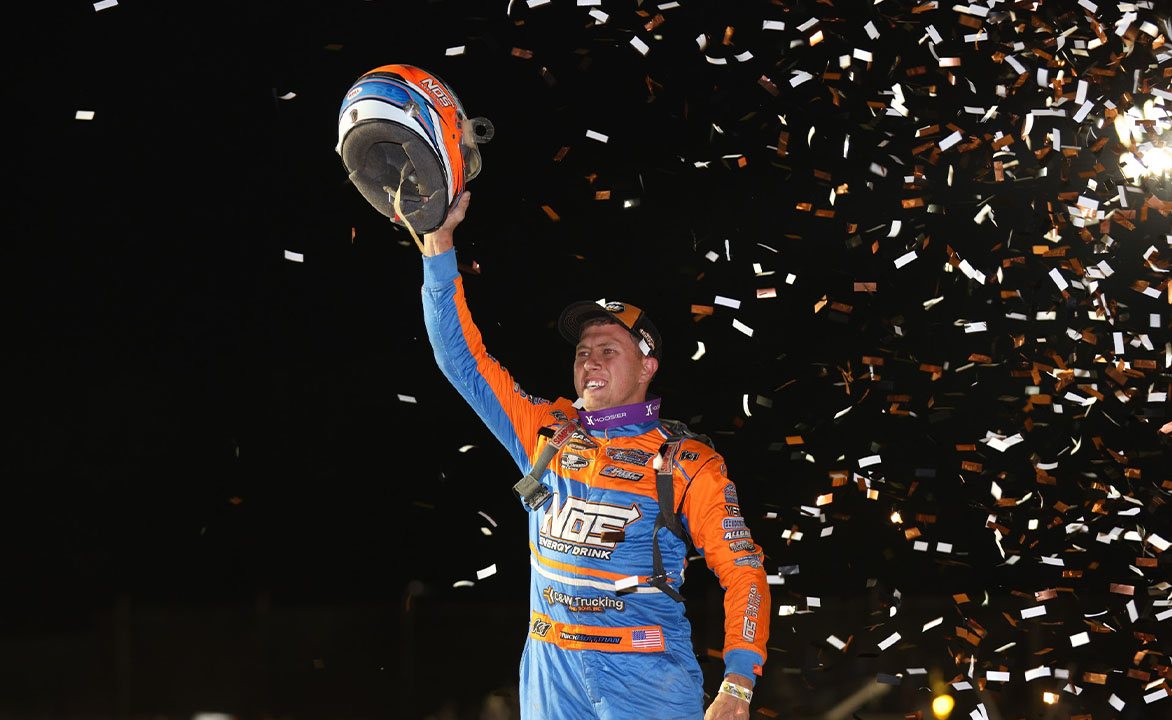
(576,527)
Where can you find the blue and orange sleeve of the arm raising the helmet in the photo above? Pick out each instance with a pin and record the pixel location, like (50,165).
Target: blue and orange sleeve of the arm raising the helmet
(513,416)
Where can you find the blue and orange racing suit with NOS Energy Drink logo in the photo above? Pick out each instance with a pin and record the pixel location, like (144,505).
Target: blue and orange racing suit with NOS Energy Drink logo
(603,643)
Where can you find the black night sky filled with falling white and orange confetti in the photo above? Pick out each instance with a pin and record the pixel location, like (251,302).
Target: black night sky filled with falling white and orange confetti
(903,281)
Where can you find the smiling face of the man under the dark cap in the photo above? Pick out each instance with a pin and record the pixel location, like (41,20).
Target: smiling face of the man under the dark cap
(610,370)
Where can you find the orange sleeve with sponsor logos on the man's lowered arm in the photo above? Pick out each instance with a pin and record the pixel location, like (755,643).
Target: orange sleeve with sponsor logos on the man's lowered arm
(713,515)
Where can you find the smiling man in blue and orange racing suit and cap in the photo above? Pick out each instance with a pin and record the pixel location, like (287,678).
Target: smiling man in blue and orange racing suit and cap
(609,640)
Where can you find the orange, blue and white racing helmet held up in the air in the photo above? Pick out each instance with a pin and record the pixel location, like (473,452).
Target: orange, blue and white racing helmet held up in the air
(404,138)
